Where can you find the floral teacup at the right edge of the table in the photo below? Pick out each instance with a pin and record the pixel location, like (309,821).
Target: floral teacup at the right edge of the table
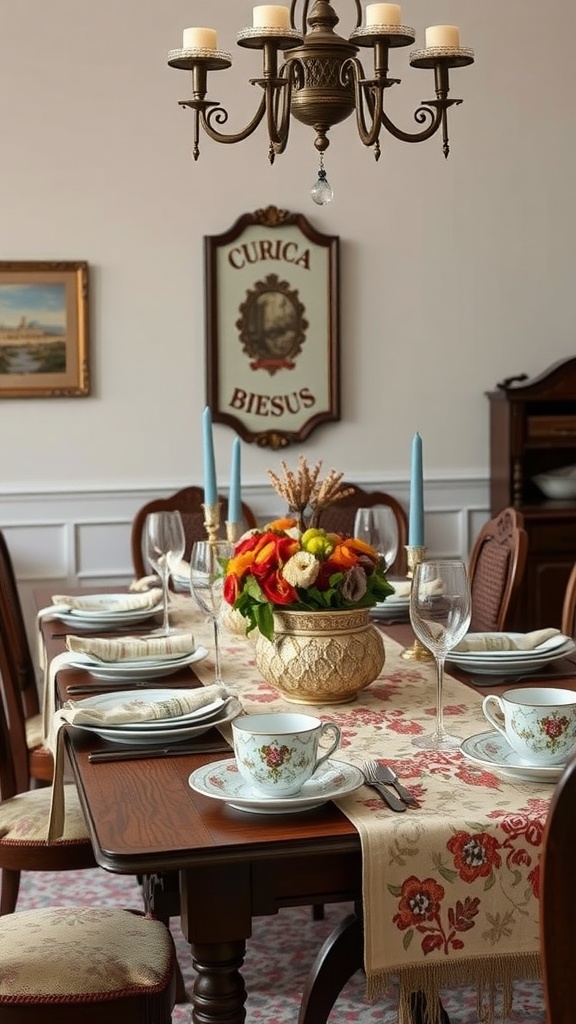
(539,723)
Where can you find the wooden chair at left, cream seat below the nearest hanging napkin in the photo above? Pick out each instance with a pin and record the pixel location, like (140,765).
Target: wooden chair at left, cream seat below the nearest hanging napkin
(24,813)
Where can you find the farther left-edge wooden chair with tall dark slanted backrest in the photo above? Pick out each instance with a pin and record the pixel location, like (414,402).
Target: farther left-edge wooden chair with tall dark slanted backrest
(33,761)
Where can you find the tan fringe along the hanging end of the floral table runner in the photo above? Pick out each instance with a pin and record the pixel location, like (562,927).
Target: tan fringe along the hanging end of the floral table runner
(491,975)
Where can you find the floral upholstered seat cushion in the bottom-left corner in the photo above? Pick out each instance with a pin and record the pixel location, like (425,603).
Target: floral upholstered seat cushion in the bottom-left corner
(115,954)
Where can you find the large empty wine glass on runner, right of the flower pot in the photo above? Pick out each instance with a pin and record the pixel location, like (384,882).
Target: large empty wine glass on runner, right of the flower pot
(440,613)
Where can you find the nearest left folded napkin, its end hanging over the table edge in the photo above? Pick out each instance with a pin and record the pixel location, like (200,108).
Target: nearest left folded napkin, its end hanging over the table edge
(137,709)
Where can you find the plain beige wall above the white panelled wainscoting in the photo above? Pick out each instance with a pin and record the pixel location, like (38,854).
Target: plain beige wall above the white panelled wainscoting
(455,275)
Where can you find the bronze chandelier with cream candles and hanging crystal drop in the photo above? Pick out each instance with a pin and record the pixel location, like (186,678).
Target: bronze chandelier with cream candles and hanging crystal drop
(321,81)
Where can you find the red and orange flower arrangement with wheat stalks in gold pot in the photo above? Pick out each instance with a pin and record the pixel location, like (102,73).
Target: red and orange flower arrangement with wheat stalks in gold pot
(308,592)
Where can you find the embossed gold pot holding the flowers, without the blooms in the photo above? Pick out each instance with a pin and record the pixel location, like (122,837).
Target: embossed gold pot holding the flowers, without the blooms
(320,658)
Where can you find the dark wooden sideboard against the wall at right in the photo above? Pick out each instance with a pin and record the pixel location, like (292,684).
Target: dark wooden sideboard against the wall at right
(533,431)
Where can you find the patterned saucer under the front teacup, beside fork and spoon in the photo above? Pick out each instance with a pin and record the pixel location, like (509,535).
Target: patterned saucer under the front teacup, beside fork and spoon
(222,781)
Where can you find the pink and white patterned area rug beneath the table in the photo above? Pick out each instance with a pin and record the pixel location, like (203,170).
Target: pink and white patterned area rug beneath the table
(277,961)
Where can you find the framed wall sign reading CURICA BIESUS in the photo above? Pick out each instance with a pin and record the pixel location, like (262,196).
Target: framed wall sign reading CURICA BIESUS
(272,331)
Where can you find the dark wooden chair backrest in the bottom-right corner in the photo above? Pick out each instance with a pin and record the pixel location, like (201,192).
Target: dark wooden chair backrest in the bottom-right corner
(558,900)
